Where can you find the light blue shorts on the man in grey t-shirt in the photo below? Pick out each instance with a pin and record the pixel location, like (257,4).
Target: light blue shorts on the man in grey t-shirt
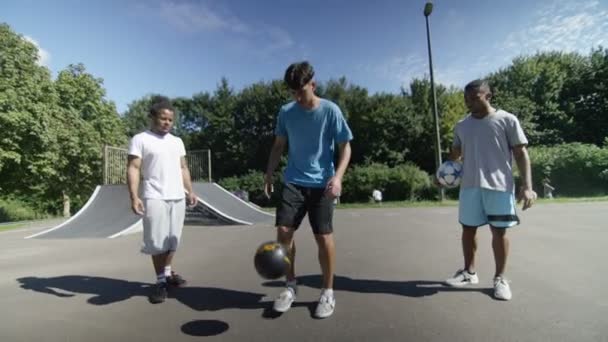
(478,207)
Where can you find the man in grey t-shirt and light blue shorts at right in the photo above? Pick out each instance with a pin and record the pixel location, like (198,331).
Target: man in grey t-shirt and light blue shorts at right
(487,140)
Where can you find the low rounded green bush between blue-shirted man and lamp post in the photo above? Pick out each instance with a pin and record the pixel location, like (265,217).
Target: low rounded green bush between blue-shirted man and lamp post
(402,182)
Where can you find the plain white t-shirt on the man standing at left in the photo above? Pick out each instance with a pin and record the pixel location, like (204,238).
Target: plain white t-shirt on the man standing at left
(161,164)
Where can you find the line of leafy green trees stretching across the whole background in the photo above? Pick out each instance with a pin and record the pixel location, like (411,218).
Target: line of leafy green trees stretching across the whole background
(54,129)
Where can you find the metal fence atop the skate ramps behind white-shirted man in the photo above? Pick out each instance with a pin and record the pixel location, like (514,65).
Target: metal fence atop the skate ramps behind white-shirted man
(115,165)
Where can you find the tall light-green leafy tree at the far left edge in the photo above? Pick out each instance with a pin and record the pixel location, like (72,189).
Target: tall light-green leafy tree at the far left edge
(28,148)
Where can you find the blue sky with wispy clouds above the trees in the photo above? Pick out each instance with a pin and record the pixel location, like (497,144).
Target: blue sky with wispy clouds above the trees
(180,48)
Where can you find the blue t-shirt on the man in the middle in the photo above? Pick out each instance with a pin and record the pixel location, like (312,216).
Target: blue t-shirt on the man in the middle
(311,136)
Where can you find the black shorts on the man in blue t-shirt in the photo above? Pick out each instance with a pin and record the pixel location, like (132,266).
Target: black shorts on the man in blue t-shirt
(298,200)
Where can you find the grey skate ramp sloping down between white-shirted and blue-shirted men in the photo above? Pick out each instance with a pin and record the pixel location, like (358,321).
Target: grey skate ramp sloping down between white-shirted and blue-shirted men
(228,207)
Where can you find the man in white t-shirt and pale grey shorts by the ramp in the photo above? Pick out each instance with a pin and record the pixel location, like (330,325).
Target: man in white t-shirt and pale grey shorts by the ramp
(159,157)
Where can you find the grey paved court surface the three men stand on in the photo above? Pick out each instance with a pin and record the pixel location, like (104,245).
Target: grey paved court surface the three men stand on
(391,264)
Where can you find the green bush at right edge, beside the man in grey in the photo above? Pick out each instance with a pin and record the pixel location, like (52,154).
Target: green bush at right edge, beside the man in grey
(573,169)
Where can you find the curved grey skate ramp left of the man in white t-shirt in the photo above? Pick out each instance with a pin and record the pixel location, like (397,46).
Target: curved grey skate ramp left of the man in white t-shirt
(107,214)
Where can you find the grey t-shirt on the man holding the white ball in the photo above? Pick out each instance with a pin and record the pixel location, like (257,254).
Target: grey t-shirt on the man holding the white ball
(486,146)
